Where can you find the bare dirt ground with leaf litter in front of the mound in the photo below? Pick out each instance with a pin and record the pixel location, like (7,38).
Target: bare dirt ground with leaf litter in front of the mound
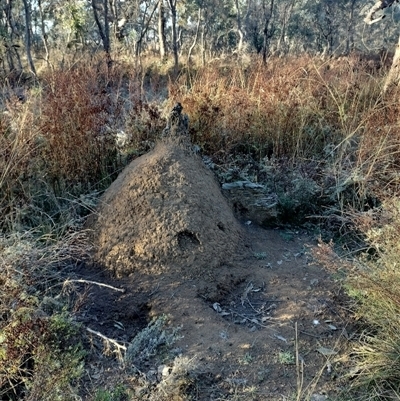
(239,327)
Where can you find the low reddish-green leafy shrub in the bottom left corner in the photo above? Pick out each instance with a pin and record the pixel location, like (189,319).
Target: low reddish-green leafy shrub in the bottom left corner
(40,356)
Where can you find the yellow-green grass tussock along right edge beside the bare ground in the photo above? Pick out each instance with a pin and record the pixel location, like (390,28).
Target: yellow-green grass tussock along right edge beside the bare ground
(373,281)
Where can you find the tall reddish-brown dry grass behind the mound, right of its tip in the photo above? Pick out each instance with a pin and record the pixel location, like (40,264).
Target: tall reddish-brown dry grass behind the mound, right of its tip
(296,107)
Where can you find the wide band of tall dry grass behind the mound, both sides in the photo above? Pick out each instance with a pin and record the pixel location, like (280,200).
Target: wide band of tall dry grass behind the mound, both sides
(61,143)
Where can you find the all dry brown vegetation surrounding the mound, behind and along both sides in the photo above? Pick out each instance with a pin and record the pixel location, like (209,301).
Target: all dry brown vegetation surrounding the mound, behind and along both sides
(323,122)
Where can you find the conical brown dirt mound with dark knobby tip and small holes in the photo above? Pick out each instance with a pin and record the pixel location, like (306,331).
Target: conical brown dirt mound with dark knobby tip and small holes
(165,211)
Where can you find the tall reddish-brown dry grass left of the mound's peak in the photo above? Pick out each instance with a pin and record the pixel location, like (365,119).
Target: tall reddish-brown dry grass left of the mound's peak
(59,144)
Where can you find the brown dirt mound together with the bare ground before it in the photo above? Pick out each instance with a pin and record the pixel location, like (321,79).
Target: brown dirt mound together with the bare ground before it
(236,291)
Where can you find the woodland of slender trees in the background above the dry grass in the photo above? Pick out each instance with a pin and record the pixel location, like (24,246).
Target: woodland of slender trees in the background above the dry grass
(36,31)
